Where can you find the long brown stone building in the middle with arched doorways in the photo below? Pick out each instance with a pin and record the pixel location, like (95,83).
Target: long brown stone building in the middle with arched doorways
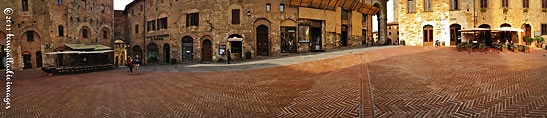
(203,30)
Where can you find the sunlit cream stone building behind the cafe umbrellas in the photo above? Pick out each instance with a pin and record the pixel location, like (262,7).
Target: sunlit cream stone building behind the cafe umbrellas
(426,21)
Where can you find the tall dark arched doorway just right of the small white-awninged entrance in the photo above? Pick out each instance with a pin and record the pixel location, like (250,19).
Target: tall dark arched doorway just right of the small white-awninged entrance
(262,46)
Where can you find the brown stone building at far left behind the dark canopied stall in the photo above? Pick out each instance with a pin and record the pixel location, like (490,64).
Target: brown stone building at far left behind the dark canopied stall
(42,26)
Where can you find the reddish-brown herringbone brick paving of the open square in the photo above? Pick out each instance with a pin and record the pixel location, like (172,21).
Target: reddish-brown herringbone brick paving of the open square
(405,82)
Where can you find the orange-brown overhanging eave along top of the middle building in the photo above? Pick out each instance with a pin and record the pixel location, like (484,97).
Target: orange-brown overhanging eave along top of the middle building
(354,5)
